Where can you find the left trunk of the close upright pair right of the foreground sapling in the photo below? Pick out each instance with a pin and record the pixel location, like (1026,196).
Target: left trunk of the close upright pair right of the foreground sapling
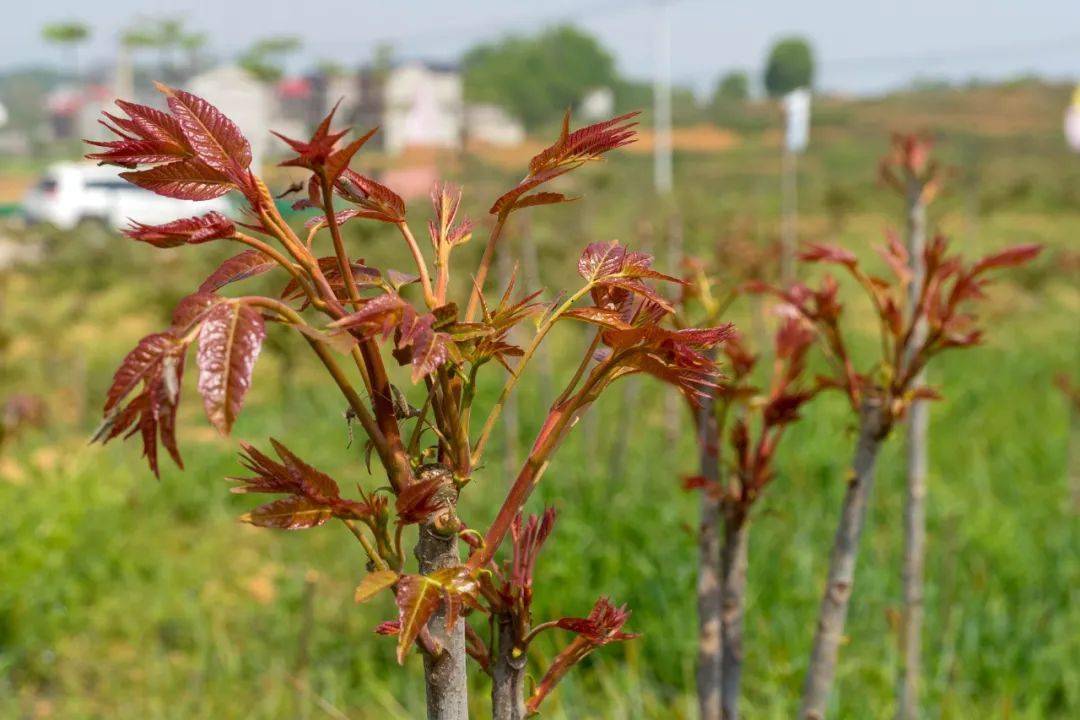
(710,600)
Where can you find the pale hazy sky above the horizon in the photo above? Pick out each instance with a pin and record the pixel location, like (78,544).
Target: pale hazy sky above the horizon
(863,46)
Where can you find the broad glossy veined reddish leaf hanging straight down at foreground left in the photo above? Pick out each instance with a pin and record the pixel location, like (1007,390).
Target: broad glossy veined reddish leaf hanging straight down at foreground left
(229,343)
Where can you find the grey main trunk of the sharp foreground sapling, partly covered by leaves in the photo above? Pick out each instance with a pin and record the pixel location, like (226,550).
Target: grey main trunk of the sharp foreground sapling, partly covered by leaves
(444,675)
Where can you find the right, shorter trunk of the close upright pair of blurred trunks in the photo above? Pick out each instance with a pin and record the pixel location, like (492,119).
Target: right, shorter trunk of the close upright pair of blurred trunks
(736,544)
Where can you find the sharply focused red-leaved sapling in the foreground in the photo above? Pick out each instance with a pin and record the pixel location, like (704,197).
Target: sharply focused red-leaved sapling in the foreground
(349,313)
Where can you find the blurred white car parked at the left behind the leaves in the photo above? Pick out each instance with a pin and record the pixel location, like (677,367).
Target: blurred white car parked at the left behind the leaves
(70,194)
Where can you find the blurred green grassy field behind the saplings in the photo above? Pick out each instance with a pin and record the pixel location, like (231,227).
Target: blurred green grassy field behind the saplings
(127,599)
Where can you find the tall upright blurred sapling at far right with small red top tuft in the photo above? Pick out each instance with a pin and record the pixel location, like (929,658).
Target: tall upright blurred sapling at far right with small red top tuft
(910,171)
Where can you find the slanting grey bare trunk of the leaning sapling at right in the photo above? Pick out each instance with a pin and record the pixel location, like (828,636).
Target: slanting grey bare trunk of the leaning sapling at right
(842,568)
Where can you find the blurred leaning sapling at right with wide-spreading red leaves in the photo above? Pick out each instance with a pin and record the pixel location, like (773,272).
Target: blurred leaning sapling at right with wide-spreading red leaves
(882,397)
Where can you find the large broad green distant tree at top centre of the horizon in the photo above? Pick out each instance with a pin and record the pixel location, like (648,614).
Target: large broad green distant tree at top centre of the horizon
(535,77)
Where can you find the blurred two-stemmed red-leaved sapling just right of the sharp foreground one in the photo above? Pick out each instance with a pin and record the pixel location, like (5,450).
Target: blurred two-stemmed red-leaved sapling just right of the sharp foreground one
(734,484)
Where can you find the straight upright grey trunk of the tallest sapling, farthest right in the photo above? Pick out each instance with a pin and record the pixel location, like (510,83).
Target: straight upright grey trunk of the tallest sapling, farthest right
(915,512)
